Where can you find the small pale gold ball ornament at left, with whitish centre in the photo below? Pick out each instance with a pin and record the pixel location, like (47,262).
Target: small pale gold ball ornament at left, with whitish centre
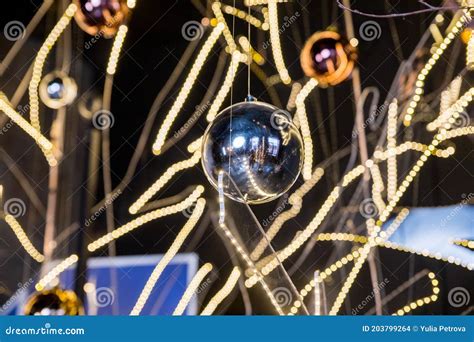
(57,90)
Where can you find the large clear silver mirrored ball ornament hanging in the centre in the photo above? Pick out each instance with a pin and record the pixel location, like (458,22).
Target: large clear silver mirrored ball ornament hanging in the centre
(258,146)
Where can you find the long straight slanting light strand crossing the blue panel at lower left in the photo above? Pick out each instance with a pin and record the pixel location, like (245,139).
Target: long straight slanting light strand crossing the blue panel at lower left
(168,256)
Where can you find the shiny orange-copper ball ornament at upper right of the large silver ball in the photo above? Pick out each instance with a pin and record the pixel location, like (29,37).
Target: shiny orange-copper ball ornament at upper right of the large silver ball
(328,57)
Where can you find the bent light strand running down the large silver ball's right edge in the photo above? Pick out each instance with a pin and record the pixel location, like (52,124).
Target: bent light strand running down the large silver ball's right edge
(305,129)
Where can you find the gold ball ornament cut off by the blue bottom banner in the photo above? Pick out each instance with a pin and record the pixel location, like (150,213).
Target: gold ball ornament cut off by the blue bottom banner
(54,302)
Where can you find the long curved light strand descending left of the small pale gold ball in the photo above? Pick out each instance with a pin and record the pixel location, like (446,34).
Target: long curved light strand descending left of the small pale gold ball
(37,73)
